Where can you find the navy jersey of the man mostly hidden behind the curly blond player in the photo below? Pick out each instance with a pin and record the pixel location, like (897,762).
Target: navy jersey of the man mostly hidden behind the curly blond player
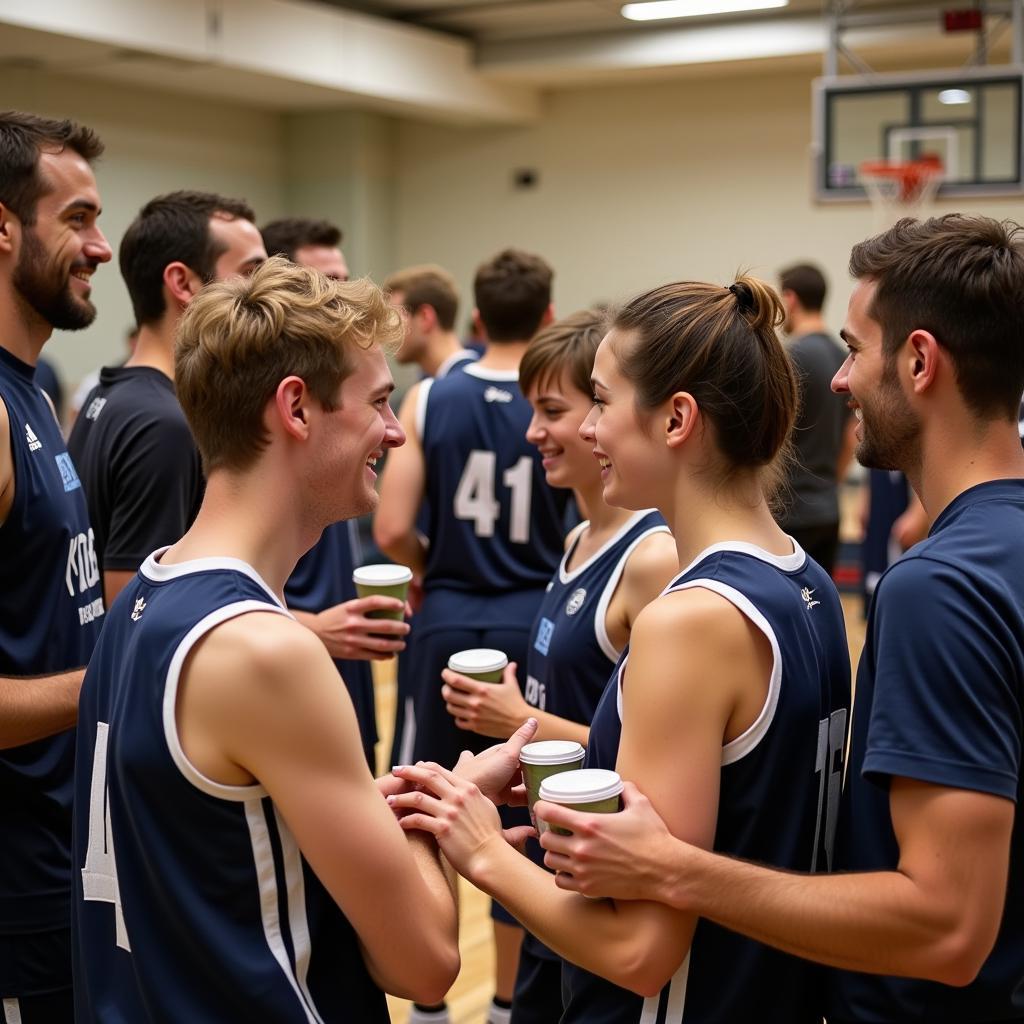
(323,579)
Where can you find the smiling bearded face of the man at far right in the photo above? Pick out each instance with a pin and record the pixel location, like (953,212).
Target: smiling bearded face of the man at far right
(888,432)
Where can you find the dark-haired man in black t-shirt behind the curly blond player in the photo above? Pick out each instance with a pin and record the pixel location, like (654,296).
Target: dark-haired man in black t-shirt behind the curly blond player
(140,466)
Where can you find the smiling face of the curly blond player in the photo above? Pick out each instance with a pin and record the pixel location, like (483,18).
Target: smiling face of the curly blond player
(356,436)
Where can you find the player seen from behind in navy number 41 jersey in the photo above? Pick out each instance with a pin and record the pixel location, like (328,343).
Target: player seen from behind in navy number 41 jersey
(496,527)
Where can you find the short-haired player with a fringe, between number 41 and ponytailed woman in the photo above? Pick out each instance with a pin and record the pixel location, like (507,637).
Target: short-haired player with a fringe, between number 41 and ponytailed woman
(616,563)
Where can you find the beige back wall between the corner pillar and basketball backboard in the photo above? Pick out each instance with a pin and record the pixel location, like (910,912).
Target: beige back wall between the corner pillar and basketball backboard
(638,185)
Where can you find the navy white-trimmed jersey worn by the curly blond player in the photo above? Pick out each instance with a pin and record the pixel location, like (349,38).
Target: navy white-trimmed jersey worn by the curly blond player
(192,902)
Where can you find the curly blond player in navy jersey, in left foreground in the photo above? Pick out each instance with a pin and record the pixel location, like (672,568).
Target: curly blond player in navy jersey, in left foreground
(205,703)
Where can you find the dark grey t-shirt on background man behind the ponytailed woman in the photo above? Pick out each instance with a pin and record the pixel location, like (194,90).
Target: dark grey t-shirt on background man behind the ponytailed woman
(818,435)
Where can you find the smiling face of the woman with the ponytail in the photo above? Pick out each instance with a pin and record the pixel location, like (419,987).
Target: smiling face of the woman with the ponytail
(633,464)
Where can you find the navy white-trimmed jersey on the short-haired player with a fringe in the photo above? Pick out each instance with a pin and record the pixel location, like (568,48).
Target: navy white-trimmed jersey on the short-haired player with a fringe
(571,655)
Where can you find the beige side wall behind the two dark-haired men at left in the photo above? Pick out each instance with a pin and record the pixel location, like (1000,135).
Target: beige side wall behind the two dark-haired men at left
(155,143)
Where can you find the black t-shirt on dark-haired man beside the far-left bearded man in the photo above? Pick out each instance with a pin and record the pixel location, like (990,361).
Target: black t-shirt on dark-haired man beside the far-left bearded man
(140,466)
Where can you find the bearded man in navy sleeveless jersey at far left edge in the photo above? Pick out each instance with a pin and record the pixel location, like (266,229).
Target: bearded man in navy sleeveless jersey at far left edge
(52,604)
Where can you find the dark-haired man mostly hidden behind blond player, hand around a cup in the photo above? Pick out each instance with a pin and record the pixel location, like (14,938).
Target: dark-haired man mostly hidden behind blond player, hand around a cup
(321,593)
